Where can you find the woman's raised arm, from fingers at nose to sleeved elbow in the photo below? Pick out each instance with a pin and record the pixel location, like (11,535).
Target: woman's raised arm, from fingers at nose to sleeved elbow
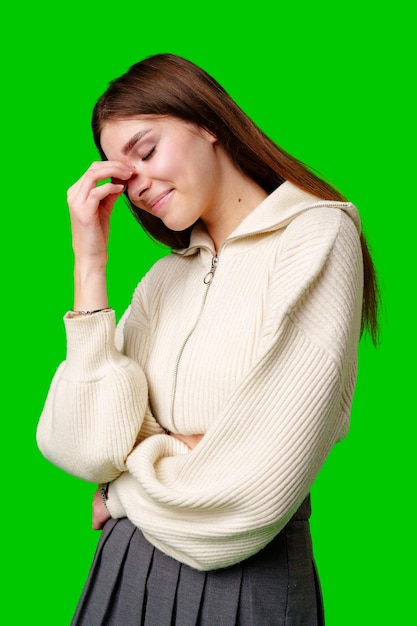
(97,402)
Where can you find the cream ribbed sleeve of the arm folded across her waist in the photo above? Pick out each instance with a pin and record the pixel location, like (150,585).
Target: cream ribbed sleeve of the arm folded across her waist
(226,499)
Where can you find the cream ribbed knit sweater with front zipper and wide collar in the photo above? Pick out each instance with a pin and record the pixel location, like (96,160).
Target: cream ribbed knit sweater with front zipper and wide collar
(259,354)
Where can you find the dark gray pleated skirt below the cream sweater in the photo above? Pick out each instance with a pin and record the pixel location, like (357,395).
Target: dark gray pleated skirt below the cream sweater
(131,583)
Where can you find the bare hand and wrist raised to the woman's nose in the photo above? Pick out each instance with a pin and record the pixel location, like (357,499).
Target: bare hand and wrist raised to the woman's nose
(91,205)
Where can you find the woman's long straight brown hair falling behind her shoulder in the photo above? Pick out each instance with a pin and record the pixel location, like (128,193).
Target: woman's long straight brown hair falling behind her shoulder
(166,84)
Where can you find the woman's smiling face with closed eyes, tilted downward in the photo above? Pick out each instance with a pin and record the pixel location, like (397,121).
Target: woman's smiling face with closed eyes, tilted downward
(176,167)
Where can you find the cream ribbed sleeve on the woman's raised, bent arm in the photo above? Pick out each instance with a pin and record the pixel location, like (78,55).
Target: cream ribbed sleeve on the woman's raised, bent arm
(96,405)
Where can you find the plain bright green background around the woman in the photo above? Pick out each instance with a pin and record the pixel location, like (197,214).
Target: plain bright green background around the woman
(332,85)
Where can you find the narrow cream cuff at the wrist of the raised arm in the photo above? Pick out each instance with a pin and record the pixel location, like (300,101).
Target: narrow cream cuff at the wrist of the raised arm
(91,346)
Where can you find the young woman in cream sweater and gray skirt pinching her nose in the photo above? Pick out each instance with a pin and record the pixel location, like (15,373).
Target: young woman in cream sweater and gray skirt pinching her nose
(208,413)
